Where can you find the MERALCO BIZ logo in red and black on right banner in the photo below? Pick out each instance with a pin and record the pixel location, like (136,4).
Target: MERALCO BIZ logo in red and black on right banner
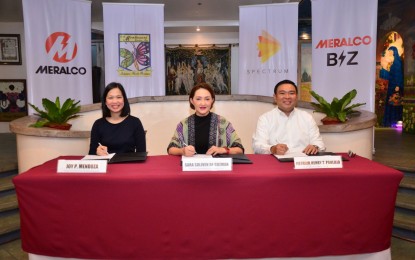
(336,58)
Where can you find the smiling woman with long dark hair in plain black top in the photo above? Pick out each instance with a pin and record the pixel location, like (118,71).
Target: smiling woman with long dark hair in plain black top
(117,131)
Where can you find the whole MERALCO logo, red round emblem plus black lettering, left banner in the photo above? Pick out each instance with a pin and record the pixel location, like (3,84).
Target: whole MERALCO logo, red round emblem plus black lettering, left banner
(61,47)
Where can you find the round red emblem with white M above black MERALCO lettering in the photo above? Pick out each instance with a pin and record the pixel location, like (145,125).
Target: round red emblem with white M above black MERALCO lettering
(61,46)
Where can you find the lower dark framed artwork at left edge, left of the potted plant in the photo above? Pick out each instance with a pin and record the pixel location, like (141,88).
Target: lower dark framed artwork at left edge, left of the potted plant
(13,99)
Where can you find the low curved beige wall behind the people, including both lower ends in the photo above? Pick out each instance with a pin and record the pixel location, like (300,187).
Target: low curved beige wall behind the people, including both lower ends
(160,120)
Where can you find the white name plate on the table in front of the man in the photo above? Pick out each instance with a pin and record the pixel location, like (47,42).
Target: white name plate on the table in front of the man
(316,162)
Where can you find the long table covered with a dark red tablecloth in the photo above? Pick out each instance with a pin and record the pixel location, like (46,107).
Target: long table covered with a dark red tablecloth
(154,210)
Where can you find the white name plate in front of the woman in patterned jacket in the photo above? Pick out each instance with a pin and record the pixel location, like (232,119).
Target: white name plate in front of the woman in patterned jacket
(206,164)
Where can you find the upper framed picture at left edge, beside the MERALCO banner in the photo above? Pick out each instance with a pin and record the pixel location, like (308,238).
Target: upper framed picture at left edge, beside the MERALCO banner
(10,52)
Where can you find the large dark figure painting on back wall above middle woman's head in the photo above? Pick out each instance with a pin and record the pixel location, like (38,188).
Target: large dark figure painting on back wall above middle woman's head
(188,66)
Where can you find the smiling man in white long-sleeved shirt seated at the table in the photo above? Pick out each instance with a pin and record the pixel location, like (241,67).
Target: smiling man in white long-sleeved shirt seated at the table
(286,128)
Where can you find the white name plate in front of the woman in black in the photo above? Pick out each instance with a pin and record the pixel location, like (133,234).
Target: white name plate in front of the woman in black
(82,166)
